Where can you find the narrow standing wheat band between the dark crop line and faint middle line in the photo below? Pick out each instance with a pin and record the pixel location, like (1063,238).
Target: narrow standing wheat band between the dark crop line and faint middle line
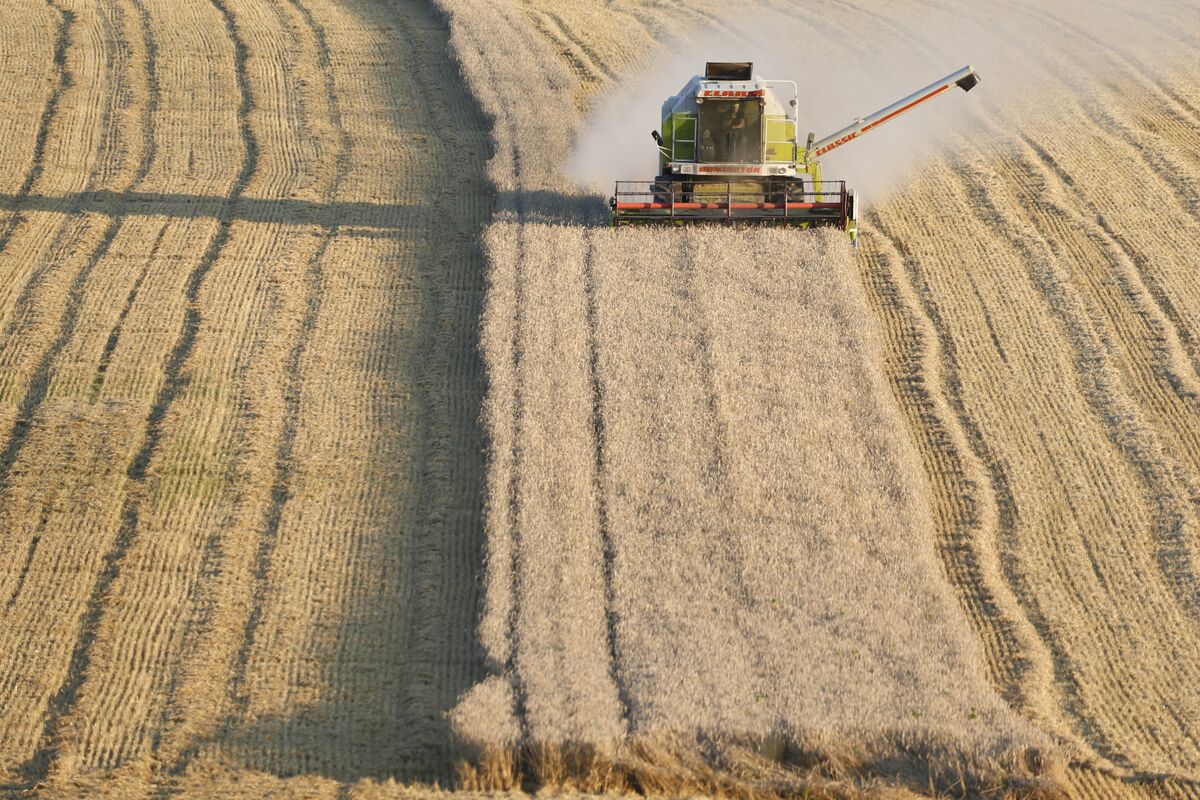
(676,592)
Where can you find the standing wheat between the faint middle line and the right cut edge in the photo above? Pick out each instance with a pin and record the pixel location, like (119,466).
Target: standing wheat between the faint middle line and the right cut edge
(755,335)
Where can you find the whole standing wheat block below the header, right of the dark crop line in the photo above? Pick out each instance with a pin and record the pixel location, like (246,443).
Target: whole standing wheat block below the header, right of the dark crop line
(770,369)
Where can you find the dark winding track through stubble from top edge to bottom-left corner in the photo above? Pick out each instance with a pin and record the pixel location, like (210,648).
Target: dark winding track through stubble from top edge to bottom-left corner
(64,700)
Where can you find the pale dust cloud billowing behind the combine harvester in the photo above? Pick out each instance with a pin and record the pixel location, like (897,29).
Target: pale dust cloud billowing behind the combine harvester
(850,62)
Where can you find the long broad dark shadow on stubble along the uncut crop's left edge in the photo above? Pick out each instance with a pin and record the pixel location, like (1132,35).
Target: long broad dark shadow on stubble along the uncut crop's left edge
(406,643)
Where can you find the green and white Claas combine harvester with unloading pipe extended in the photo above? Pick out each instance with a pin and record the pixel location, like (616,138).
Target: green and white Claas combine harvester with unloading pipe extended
(731,153)
